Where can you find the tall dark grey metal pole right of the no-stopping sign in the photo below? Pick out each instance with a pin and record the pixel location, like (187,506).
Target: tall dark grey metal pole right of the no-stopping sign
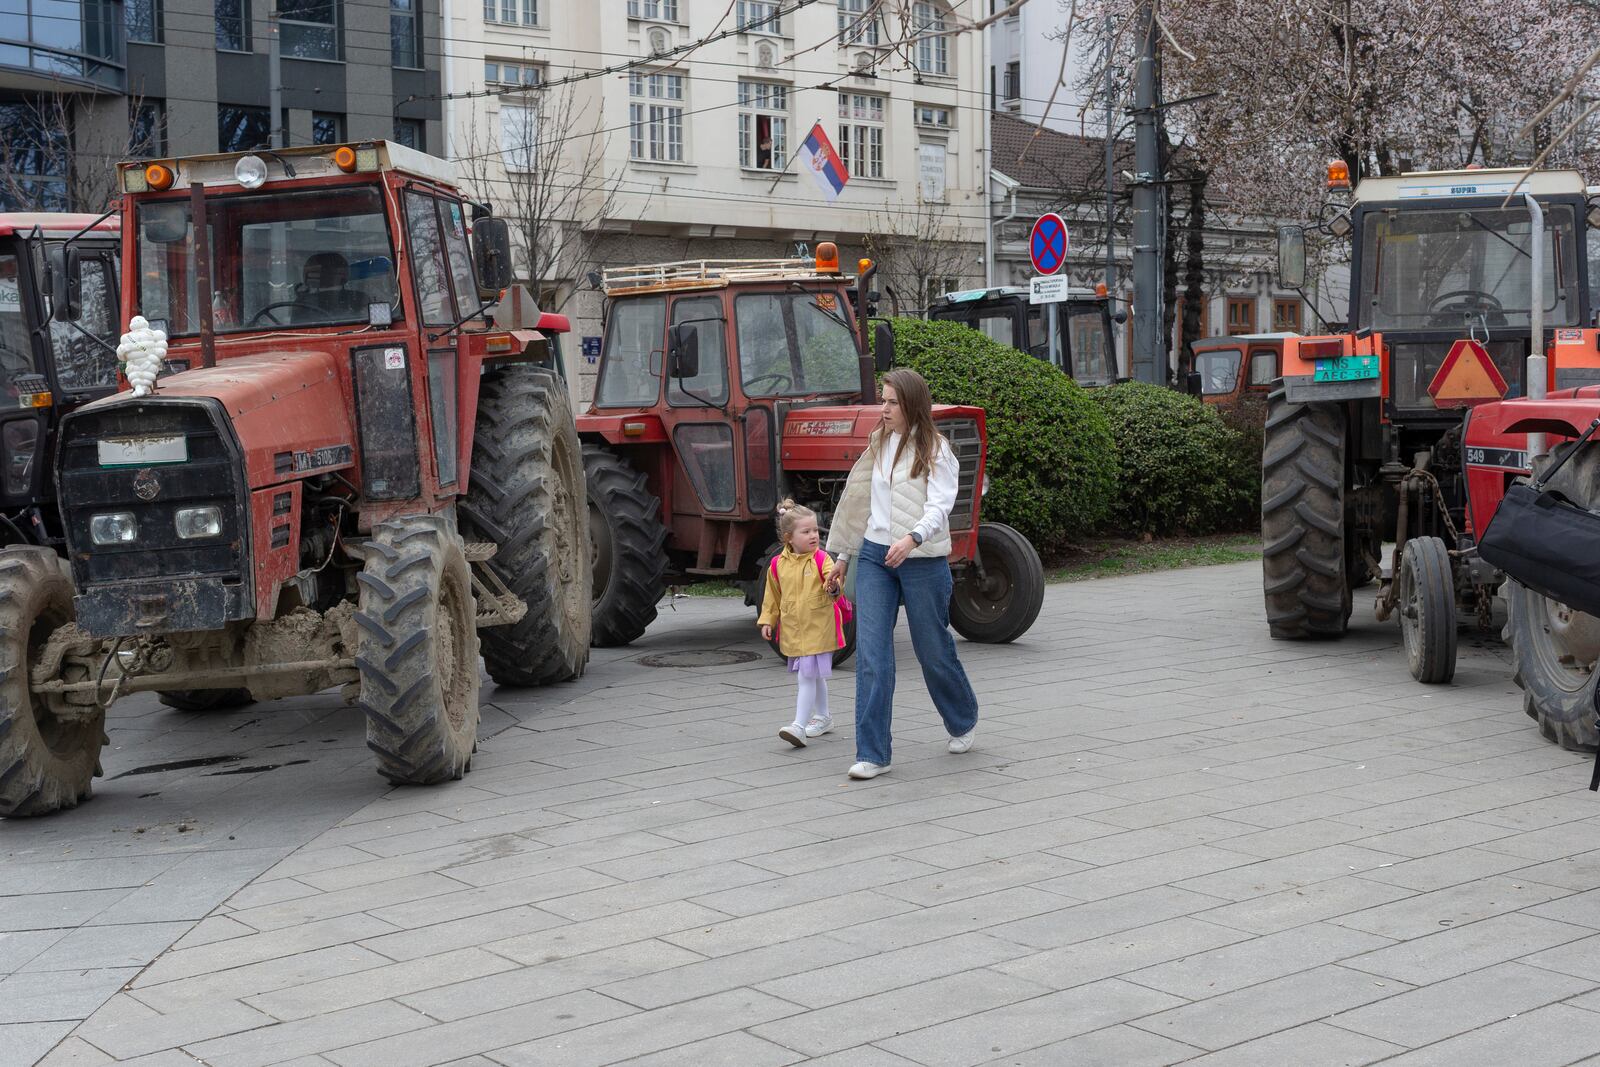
(1146,210)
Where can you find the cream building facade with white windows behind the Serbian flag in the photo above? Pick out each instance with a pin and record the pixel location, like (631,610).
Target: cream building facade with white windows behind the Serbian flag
(657,151)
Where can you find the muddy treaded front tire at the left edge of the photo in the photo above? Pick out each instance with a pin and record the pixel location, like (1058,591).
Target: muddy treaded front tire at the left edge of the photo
(46,764)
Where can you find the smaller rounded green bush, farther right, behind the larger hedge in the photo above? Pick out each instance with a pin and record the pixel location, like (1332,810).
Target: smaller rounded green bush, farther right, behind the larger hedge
(1180,468)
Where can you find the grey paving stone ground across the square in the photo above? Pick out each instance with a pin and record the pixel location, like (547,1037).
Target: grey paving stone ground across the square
(1177,842)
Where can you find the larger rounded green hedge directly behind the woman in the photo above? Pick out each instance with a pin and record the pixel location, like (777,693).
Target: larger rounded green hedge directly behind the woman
(1052,457)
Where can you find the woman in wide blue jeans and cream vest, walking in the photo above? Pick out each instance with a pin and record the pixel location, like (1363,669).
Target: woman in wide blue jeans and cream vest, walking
(894,519)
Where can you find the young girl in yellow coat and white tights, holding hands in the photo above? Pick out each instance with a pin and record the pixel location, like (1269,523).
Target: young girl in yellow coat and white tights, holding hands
(801,609)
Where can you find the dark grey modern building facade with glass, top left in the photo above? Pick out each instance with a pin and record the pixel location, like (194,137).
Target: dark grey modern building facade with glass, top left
(89,82)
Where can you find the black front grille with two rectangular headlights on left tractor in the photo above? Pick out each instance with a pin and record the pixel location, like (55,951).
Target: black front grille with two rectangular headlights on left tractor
(210,474)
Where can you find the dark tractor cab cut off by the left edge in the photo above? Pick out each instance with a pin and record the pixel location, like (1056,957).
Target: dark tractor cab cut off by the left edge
(47,366)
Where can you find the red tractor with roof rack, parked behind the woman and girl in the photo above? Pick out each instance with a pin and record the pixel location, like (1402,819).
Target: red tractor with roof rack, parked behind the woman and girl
(729,386)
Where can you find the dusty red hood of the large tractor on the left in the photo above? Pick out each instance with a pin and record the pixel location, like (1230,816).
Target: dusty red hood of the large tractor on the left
(286,409)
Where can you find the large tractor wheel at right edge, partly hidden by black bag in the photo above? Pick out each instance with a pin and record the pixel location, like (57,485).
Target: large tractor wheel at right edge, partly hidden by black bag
(1556,650)
